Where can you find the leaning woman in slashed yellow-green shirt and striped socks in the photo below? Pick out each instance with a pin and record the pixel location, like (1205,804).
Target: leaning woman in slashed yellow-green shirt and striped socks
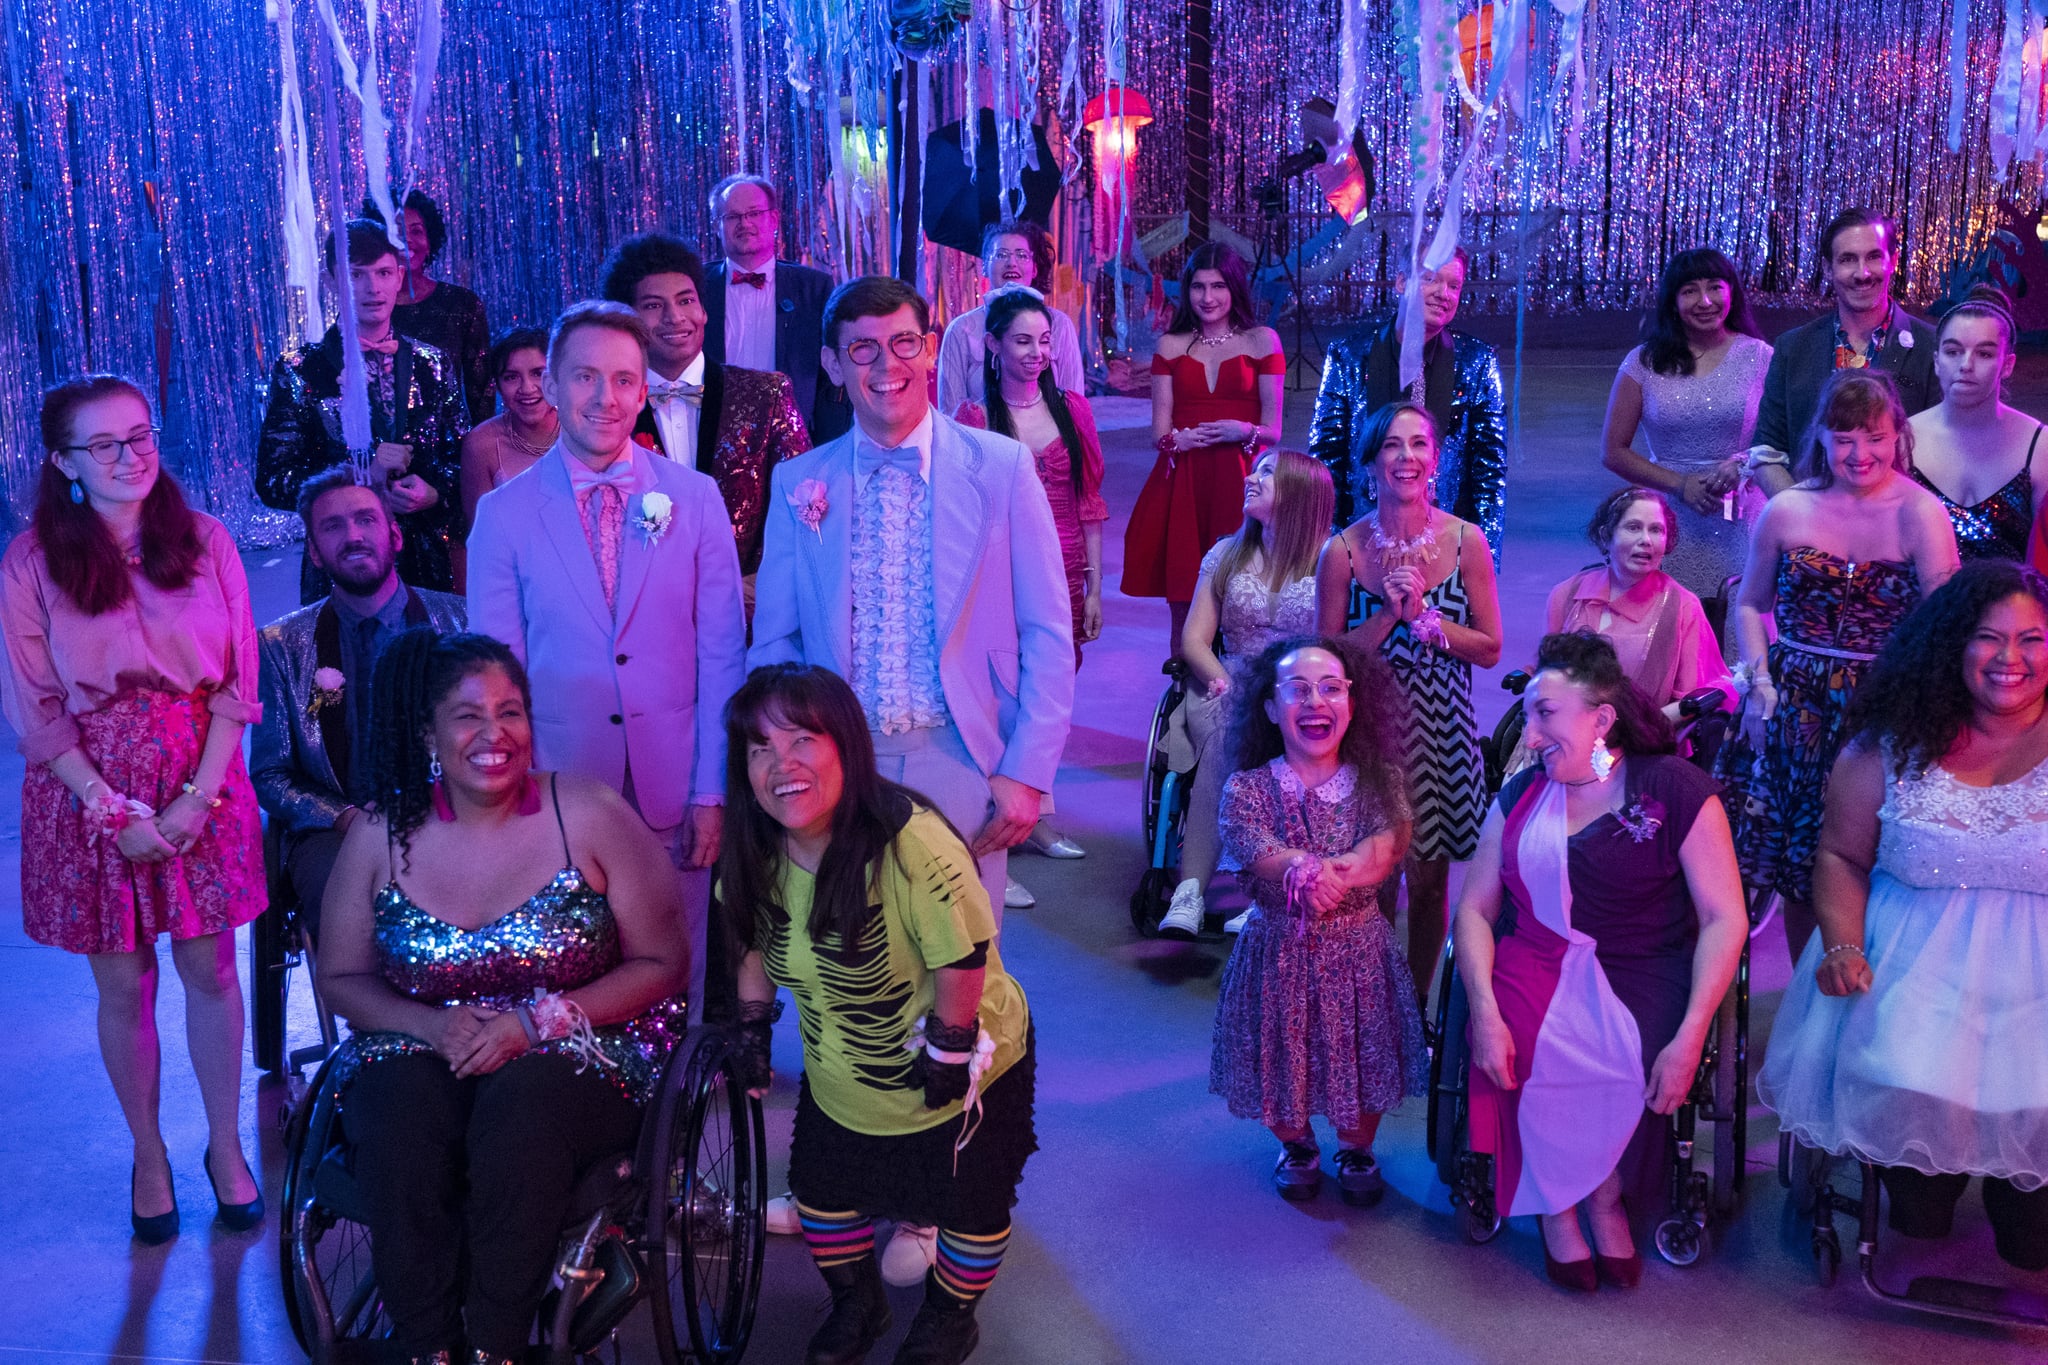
(919,1071)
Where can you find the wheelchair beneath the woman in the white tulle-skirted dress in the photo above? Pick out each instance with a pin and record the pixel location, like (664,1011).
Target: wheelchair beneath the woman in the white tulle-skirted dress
(1809,1180)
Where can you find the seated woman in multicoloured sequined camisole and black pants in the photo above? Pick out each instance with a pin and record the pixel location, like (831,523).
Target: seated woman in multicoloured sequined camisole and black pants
(507,946)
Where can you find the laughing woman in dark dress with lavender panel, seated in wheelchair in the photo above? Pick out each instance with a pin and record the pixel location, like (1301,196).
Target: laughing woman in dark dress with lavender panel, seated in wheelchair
(1598,930)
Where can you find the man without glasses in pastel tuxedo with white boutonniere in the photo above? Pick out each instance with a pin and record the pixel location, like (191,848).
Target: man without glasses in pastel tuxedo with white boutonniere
(615,580)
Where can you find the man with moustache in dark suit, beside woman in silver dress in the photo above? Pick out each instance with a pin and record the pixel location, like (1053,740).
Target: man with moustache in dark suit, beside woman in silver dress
(1861,255)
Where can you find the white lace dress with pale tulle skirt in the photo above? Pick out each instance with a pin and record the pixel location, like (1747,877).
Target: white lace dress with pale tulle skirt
(1943,1067)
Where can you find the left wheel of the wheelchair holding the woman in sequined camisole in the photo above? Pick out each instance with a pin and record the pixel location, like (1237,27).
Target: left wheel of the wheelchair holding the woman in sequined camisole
(325,1251)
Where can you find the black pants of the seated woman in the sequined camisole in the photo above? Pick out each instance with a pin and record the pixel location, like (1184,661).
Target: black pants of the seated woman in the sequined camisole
(474,1174)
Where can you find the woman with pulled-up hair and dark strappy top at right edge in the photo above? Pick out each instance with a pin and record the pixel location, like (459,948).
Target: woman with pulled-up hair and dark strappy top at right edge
(1971,441)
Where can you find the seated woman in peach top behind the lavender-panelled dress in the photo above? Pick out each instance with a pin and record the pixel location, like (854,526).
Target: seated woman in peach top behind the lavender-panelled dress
(1658,627)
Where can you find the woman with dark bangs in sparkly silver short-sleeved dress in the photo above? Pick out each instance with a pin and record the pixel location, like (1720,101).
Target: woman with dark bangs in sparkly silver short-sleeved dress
(1693,392)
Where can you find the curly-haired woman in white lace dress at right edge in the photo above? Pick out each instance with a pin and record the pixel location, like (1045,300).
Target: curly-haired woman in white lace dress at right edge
(1912,1030)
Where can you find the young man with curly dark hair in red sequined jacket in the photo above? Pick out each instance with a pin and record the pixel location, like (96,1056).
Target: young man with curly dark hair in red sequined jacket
(724,421)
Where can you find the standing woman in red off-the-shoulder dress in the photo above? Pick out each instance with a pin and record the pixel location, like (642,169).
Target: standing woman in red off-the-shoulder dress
(1215,406)
